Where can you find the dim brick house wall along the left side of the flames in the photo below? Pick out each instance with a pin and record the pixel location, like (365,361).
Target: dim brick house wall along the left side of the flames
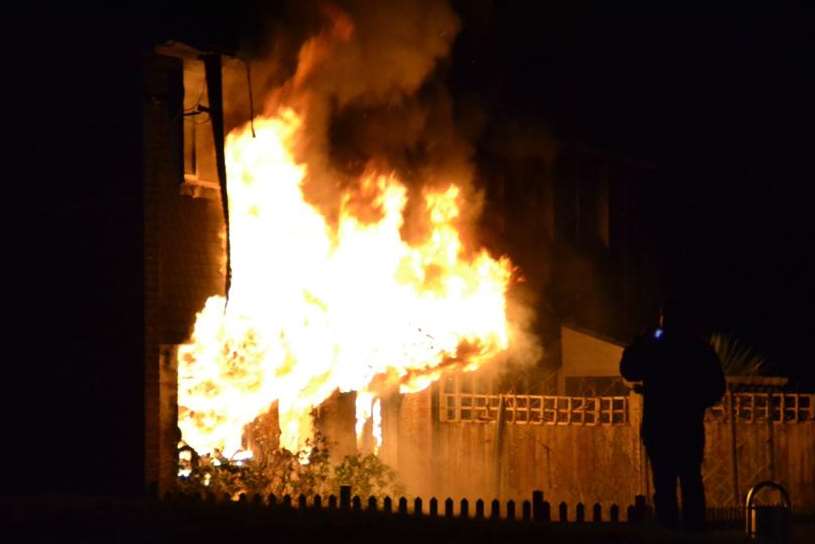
(183,252)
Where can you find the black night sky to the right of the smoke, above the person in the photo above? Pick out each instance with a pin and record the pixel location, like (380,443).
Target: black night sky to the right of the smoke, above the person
(720,102)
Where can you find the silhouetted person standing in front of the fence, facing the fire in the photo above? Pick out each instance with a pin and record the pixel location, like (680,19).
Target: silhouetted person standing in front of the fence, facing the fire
(680,376)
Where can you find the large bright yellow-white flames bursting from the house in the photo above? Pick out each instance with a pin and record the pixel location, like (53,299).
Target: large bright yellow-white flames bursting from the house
(315,306)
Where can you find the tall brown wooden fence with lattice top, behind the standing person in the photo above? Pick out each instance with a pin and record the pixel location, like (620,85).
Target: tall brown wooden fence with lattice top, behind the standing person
(588,448)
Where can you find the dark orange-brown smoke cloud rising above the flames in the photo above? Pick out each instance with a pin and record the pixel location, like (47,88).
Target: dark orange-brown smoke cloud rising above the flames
(369,84)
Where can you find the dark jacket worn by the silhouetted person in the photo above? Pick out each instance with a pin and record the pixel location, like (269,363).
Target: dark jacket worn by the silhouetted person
(681,377)
